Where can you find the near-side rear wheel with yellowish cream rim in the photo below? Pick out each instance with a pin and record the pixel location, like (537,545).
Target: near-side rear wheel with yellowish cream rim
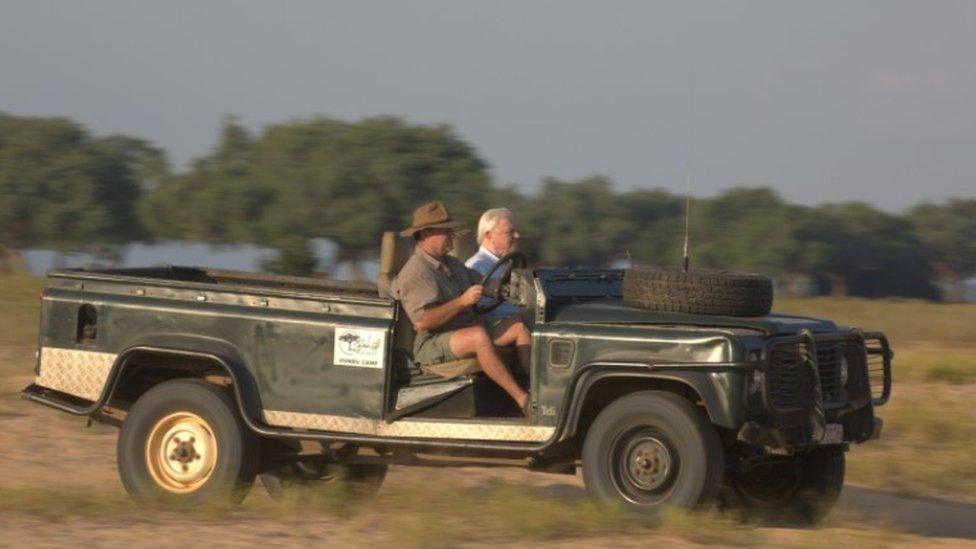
(183,441)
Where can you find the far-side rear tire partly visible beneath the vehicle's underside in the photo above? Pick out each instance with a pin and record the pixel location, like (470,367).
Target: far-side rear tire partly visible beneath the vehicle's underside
(355,481)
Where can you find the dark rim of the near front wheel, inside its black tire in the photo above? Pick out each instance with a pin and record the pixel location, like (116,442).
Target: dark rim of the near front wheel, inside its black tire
(643,466)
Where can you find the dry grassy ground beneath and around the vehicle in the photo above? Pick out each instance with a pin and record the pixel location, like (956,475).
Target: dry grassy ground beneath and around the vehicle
(59,486)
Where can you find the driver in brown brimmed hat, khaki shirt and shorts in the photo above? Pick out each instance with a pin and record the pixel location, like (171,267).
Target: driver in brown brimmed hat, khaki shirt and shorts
(437,292)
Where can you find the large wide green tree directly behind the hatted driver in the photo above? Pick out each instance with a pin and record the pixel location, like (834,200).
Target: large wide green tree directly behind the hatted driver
(317,178)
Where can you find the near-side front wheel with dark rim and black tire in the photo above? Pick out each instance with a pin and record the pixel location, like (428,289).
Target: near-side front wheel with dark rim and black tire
(681,459)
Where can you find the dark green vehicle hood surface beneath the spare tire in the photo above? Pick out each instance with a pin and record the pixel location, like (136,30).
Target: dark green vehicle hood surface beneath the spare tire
(614,312)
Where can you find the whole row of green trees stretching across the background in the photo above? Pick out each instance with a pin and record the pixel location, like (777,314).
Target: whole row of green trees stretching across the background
(291,183)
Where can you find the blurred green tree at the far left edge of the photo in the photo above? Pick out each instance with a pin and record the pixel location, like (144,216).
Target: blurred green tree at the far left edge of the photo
(61,188)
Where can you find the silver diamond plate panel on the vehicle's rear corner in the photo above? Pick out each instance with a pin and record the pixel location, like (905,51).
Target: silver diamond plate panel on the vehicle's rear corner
(79,373)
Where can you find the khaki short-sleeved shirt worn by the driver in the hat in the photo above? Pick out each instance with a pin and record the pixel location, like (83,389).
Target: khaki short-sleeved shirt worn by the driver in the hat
(424,281)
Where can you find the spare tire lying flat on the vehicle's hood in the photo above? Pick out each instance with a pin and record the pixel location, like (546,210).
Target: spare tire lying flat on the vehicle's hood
(698,291)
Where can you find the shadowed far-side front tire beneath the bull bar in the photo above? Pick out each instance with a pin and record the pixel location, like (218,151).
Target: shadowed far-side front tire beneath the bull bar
(801,490)
